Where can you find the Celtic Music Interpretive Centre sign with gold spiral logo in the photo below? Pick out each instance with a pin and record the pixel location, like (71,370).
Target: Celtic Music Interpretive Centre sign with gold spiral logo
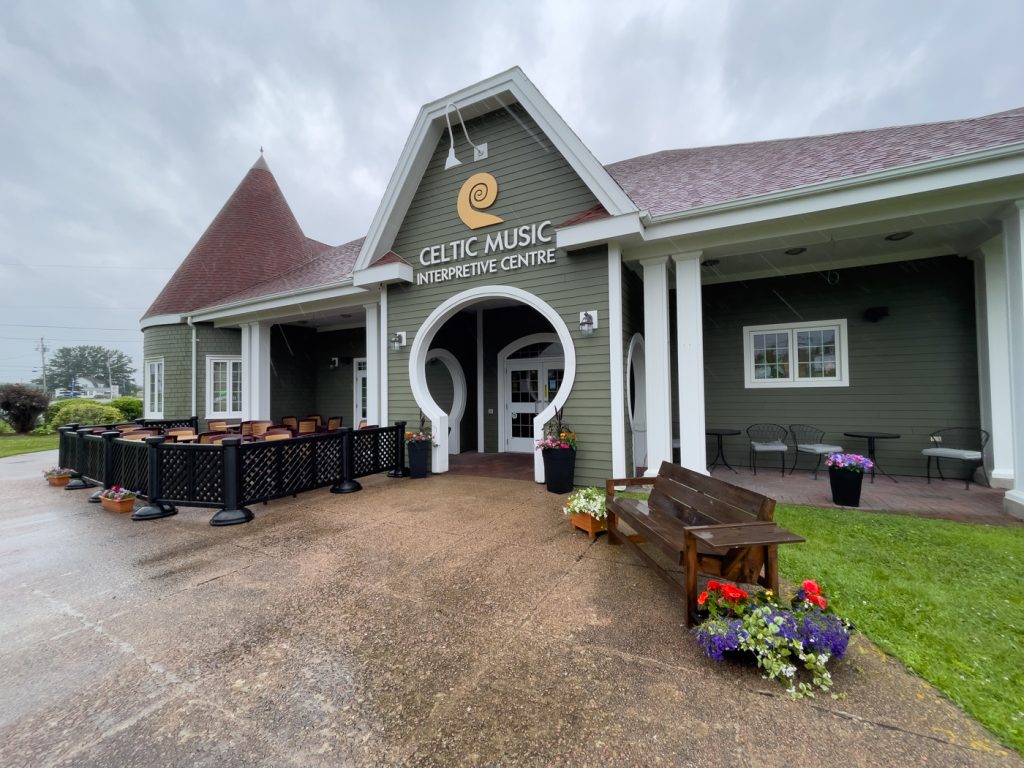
(470,258)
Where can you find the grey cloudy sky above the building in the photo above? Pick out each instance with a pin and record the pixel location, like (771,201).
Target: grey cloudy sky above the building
(124,126)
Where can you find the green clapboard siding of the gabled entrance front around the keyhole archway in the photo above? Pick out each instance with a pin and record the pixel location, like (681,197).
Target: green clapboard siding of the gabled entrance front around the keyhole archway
(535,185)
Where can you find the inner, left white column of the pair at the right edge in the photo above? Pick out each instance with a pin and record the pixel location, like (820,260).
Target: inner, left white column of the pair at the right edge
(994,361)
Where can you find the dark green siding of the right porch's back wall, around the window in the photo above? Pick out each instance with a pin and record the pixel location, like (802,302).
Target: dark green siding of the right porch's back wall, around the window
(912,373)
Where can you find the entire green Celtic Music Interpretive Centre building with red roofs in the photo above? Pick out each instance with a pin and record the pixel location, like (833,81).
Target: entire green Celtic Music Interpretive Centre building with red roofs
(867,281)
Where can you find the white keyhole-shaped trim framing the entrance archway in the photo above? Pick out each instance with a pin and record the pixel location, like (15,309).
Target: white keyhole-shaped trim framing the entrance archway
(421,345)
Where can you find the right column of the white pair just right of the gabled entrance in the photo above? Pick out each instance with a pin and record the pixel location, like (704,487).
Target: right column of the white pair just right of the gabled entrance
(690,362)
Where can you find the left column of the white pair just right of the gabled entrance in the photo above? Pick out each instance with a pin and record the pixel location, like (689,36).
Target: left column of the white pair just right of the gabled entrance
(656,331)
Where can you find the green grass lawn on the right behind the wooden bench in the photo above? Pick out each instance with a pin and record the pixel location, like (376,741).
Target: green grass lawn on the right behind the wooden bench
(946,599)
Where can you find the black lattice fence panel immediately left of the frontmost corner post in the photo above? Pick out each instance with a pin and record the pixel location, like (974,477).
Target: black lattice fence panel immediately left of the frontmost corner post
(193,476)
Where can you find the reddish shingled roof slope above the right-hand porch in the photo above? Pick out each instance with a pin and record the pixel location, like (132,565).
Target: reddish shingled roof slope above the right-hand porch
(678,181)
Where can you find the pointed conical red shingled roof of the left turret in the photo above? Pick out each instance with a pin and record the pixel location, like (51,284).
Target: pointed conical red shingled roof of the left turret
(254,239)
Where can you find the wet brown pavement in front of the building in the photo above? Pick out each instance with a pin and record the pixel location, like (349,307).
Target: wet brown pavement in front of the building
(451,621)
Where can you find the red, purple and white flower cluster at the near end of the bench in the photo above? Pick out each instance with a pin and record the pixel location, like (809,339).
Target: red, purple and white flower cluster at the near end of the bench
(791,644)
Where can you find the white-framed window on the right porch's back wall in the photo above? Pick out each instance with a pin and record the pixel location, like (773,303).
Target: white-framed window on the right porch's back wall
(797,355)
